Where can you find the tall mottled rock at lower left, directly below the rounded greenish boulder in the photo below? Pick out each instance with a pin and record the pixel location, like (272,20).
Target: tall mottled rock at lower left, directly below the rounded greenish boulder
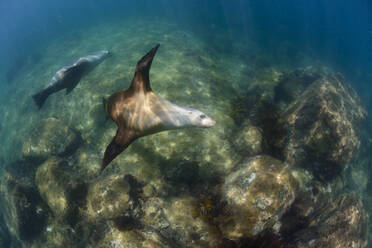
(60,189)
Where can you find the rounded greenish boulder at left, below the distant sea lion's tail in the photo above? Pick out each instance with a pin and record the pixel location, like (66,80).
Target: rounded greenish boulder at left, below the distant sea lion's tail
(50,137)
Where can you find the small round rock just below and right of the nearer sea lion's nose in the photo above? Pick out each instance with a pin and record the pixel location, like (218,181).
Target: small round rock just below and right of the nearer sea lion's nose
(249,141)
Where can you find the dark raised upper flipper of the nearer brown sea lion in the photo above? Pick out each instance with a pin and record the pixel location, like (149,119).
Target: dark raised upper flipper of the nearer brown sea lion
(141,80)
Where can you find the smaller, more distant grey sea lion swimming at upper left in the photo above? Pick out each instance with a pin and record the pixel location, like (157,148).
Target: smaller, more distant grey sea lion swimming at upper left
(69,76)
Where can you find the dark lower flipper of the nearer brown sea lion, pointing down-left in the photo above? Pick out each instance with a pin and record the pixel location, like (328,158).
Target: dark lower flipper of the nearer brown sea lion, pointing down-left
(118,144)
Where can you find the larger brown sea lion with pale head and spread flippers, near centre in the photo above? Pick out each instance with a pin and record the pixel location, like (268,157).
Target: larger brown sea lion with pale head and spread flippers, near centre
(138,112)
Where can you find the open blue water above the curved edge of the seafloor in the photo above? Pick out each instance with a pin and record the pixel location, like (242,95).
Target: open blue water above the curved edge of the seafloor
(339,32)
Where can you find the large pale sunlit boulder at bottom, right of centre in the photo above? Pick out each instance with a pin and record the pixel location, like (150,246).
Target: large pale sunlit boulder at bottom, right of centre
(257,194)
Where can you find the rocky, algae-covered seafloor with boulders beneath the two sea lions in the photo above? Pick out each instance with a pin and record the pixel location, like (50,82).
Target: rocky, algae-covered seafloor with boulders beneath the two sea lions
(183,183)
